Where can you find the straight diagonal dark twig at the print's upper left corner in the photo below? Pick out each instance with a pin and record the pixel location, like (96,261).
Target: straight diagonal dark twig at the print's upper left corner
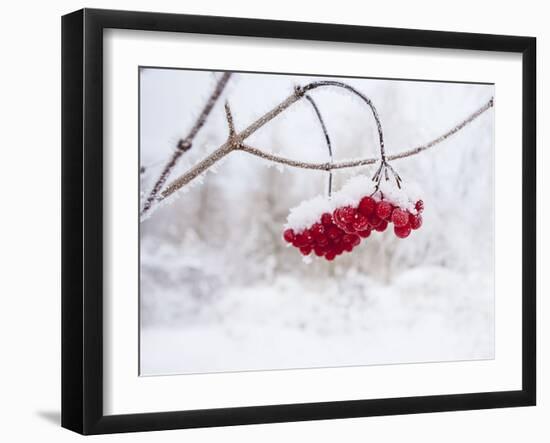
(186,143)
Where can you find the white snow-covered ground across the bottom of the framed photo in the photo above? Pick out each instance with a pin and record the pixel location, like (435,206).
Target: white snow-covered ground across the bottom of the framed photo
(292,325)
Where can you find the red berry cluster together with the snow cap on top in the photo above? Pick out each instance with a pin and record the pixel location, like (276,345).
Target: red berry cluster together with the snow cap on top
(328,227)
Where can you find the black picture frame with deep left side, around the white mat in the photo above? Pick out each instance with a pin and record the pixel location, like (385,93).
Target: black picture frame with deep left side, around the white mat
(82,221)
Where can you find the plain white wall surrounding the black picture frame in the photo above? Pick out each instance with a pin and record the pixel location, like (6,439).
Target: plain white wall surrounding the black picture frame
(30,233)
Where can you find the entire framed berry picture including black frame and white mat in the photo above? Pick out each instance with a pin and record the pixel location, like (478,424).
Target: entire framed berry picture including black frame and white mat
(330,208)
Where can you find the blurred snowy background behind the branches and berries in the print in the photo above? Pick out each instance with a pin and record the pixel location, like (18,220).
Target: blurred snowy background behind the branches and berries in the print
(220,291)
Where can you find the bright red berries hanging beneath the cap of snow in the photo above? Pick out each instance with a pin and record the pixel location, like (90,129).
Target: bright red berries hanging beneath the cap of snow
(344,229)
